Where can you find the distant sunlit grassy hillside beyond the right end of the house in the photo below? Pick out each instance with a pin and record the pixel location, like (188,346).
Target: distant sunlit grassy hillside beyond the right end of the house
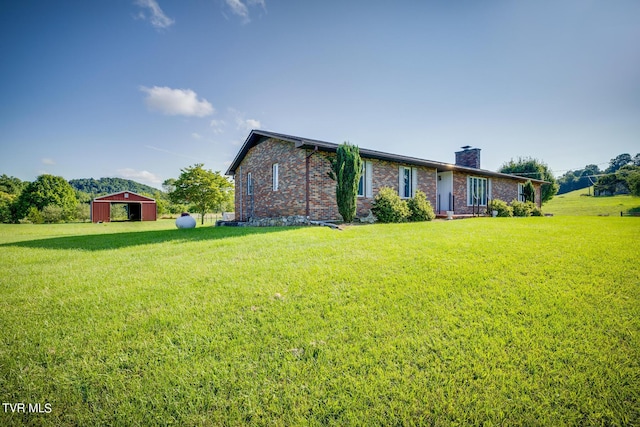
(580,203)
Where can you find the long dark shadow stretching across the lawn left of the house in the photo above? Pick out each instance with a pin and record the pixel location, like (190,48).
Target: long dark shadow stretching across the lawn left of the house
(100,242)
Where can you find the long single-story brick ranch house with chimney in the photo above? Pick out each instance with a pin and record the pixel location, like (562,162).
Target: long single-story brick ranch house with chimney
(279,175)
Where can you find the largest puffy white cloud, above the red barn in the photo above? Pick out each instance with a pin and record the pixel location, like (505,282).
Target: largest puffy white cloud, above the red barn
(174,102)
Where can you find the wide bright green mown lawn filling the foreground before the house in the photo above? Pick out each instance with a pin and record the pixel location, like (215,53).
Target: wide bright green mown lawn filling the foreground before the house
(486,321)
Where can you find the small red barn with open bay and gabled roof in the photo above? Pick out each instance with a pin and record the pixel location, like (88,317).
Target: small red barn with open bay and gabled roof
(139,208)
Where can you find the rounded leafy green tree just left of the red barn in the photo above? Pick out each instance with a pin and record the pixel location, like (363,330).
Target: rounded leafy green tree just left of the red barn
(47,190)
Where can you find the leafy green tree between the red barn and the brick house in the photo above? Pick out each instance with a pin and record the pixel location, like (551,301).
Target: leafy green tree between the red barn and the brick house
(206,190)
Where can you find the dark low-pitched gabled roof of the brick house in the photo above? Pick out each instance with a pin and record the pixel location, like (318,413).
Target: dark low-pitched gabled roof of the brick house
(258,136)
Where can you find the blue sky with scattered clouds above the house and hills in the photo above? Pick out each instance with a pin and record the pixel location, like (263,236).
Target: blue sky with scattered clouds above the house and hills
(142,88)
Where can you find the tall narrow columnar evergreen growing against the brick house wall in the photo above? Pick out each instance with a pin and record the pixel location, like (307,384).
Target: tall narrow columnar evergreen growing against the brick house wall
(346,169)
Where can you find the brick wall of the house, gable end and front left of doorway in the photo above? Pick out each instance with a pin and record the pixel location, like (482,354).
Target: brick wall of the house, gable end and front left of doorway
(291,197)
